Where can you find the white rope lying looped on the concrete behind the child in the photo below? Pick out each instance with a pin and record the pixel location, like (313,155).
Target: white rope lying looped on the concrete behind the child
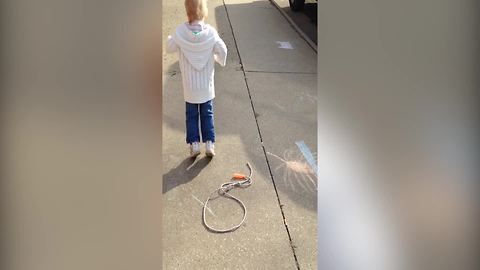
(223,191)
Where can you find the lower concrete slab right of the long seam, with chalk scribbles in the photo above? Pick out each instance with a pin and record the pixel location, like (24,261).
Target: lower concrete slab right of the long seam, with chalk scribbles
(287,113)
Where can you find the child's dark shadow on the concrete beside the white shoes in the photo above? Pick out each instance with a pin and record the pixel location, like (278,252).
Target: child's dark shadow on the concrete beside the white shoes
(185,172)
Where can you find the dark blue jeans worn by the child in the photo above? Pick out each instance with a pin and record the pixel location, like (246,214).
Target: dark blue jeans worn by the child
(202,113)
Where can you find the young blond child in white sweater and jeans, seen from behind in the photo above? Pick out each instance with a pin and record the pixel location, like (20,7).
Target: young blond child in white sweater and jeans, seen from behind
(199,46)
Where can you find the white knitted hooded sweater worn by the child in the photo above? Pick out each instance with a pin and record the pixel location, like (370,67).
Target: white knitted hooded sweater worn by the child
(198,52)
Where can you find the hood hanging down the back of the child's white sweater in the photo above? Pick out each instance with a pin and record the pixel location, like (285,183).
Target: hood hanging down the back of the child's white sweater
(197,48)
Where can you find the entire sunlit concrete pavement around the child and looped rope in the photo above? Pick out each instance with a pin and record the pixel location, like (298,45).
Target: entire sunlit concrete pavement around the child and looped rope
(265,104)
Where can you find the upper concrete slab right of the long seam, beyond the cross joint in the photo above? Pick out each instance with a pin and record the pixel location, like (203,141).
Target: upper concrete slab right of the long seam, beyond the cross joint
(258,26)
